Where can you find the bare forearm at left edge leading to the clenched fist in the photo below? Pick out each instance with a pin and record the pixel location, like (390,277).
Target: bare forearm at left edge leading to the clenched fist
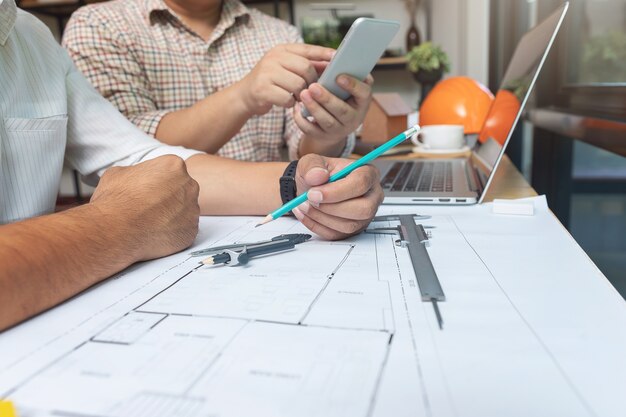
(49,259)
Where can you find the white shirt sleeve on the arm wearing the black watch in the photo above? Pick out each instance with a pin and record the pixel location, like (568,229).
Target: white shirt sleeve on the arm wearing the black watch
(99,137)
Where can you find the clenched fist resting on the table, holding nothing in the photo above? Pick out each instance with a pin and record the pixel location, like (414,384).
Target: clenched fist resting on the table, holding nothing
(157,201)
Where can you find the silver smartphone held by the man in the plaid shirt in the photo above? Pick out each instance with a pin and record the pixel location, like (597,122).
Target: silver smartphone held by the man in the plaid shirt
(358,53)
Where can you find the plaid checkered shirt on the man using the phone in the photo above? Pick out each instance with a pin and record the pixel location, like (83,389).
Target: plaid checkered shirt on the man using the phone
(147,62)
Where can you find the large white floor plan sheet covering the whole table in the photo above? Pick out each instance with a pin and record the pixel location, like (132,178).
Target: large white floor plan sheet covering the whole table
(327,329)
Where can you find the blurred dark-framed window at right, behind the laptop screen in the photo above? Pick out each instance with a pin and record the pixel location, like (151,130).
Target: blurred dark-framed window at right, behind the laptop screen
(579,135)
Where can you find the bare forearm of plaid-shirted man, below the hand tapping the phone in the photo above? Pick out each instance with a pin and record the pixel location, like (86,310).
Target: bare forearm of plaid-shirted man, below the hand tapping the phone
(208,124)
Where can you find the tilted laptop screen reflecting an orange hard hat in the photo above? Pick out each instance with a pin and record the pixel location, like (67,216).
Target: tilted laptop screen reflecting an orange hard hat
(511,97)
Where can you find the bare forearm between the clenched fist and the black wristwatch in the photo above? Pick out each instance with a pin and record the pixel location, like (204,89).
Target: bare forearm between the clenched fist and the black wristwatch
(236,187)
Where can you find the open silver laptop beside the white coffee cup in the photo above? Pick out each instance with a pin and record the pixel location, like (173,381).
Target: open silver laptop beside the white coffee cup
(466,180)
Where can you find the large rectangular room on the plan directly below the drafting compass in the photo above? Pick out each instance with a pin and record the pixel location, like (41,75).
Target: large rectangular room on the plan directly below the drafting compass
(261,290)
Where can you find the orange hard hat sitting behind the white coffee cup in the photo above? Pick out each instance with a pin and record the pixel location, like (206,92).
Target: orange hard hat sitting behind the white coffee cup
(458,101)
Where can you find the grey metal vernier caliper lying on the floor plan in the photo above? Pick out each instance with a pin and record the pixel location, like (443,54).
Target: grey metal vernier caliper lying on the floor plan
(415,239)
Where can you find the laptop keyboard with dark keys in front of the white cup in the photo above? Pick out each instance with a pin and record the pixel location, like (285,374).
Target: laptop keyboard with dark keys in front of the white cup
(419,176)
